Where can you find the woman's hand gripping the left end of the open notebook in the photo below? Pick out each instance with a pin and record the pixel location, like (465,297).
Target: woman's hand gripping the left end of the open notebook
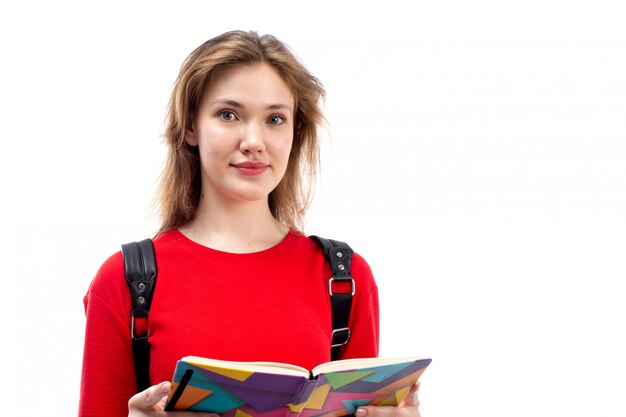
(151,403)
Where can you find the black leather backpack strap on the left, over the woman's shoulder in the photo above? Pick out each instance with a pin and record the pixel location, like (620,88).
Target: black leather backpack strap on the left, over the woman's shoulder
(140,271)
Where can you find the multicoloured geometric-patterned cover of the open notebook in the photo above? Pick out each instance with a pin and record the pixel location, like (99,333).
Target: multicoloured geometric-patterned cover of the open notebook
(333,394)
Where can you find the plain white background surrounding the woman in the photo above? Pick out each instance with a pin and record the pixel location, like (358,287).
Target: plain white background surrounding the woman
(475,157)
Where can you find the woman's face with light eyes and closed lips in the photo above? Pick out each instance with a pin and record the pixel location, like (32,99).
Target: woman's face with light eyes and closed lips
(244,132)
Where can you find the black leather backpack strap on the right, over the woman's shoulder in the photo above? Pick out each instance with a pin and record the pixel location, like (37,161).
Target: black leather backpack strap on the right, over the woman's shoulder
(339,255)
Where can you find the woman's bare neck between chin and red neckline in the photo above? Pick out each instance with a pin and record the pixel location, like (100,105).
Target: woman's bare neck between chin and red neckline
(235,226)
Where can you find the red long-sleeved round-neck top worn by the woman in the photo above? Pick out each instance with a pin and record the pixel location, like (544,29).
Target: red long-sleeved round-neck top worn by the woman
(271,305)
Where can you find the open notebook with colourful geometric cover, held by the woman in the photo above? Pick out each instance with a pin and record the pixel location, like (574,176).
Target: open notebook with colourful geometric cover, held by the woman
(267,389)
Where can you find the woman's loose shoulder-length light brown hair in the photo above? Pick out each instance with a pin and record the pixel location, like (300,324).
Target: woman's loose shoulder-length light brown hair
(179,191)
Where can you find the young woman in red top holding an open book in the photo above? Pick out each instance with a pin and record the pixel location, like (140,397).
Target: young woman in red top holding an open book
(237,280)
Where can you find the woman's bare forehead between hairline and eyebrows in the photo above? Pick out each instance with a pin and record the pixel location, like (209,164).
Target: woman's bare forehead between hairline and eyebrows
(257,83)
